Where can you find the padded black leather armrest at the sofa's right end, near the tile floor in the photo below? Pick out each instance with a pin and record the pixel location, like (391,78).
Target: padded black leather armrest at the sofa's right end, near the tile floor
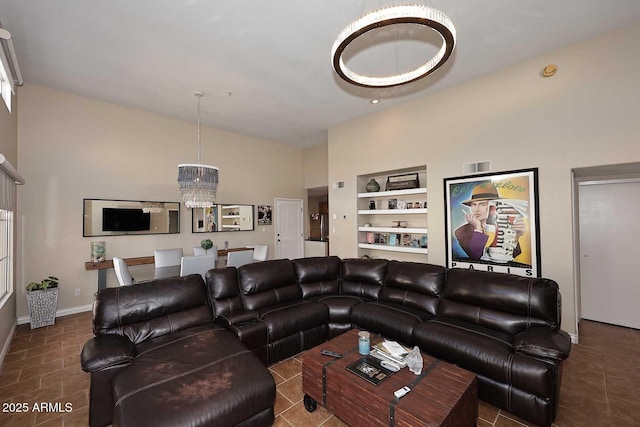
(543,342)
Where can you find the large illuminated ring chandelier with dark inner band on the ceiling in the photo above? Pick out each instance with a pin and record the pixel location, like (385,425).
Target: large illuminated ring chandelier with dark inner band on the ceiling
(413,14)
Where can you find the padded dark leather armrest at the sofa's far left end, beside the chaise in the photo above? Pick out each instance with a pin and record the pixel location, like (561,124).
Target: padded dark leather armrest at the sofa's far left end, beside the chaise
(106,351)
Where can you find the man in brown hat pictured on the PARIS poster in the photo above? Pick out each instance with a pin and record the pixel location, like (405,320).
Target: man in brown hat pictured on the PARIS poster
(474,236)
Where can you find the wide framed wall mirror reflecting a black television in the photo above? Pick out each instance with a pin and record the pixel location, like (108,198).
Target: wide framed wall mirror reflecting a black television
(104,217)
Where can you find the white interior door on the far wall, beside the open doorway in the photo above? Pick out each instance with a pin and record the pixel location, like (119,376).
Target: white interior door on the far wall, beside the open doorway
(289,228)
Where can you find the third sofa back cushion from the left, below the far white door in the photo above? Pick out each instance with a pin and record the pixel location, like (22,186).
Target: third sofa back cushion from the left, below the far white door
(268,283)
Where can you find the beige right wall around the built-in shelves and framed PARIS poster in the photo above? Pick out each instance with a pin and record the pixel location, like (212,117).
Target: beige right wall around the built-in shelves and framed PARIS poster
(586,115)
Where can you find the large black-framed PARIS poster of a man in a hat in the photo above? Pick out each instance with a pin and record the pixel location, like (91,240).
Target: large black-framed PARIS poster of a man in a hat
(491,222)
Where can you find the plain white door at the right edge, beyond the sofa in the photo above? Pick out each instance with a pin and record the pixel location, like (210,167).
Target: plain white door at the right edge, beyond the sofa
(609,231)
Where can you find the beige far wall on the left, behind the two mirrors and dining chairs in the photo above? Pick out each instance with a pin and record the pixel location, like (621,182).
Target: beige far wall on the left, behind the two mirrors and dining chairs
(72,148)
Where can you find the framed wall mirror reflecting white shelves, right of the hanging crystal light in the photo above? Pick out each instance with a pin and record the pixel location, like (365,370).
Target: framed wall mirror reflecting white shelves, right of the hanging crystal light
(227,217)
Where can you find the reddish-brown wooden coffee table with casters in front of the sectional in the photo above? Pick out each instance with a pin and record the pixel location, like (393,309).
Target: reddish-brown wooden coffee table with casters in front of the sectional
(443,395)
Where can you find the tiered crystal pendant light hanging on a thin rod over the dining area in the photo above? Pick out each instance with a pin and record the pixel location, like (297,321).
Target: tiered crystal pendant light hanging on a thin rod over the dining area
(198,183)
